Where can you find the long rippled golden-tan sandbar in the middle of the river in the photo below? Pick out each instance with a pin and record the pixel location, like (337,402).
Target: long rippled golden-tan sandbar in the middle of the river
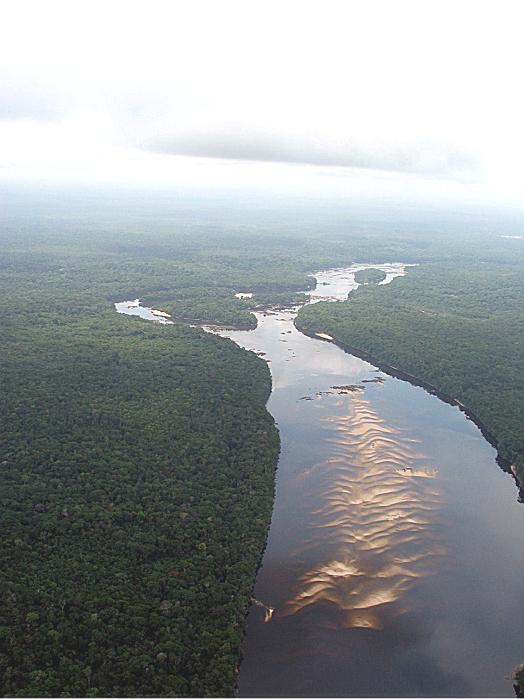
(375,531)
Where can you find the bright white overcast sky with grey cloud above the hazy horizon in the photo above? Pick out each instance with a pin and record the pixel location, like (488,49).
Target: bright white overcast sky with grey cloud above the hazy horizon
(330,95)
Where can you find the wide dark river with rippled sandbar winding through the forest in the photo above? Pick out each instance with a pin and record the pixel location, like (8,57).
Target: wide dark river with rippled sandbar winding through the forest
(394,564)
